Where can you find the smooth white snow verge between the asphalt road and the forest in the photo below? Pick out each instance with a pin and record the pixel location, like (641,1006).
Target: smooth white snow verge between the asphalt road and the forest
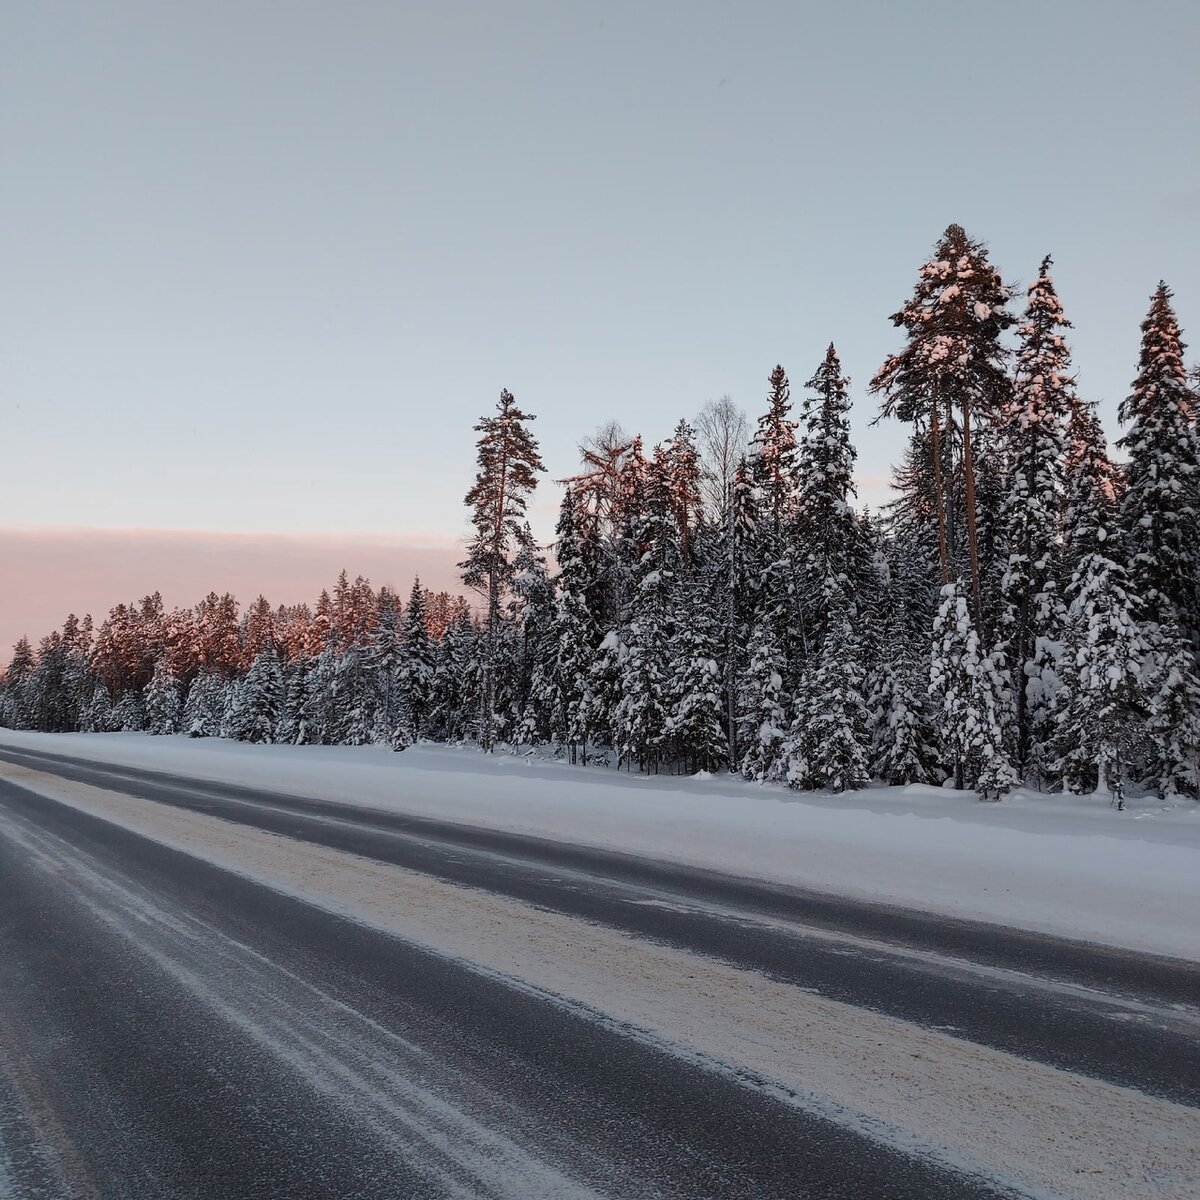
(1067,866)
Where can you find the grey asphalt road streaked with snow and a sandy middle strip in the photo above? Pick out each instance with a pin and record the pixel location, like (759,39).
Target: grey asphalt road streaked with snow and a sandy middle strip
(211,992)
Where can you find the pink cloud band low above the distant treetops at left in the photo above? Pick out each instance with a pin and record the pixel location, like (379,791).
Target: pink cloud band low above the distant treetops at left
(51,573)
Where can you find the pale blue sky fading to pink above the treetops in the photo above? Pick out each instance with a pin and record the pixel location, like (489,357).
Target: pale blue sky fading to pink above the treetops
(266,265)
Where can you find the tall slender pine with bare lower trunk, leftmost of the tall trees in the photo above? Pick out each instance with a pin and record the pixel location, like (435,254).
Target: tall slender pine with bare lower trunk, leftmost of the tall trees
(508,473)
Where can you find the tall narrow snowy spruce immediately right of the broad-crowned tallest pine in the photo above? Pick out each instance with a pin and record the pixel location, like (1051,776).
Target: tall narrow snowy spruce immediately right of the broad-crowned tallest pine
(1033,613)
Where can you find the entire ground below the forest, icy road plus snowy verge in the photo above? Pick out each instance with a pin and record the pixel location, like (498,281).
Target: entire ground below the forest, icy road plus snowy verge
(329,971)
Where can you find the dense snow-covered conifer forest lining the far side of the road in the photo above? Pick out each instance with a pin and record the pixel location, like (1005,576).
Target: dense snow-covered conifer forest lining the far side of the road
(1025,611)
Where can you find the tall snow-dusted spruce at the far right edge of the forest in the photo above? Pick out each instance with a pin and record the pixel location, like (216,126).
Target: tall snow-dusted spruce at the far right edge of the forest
(1160,508)
